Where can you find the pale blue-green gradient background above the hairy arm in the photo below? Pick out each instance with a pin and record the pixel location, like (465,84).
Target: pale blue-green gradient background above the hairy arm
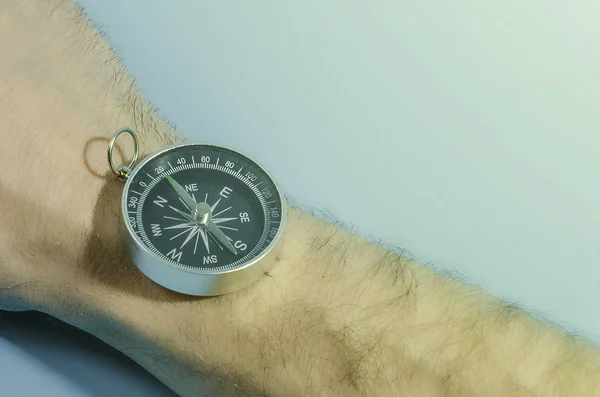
(467,132)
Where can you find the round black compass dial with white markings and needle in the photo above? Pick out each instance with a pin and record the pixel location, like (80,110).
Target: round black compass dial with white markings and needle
(203,207)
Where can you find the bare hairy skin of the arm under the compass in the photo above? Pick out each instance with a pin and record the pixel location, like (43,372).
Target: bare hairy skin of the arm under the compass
(336,316)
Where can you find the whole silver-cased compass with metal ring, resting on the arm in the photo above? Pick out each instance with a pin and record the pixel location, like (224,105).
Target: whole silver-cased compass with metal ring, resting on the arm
(200,217)
